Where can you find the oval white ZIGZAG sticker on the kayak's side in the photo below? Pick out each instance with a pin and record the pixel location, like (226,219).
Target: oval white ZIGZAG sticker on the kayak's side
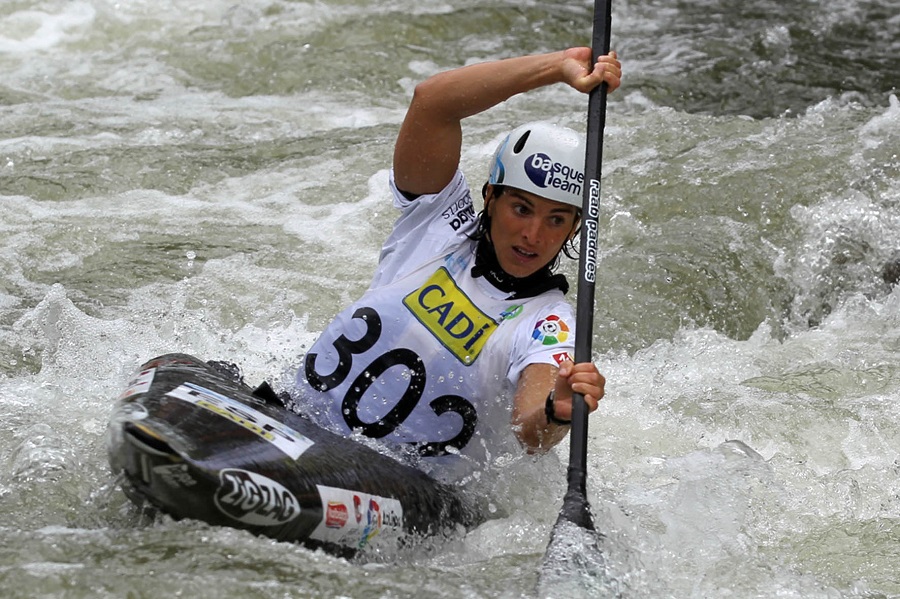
(252,498)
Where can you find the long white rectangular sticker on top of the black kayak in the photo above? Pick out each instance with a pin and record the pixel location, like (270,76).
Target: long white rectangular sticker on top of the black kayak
(281,436)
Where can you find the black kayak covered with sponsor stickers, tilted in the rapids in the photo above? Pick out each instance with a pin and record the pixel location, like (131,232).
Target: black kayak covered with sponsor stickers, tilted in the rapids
(195,443)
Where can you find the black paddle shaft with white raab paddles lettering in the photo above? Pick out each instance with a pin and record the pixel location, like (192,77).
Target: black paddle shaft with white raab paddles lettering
(575,504)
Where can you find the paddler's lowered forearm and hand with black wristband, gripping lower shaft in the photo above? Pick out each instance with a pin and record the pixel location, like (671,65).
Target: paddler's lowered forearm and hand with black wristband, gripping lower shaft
(530,420)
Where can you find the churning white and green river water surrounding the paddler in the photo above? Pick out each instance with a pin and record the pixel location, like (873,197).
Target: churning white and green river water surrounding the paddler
(210,177)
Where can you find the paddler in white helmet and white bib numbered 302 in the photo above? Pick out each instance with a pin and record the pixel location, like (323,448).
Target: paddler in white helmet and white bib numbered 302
(465,330)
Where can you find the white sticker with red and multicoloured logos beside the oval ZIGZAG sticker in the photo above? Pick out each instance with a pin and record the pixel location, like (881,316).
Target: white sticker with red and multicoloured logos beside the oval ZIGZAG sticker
(354,519)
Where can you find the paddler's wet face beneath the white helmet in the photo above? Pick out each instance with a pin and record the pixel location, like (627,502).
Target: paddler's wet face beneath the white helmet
(527,231)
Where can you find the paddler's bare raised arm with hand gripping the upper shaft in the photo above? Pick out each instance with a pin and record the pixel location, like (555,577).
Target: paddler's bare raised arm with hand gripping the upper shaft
(427,151)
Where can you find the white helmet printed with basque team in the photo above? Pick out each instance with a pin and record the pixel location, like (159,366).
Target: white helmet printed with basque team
(546,160)
